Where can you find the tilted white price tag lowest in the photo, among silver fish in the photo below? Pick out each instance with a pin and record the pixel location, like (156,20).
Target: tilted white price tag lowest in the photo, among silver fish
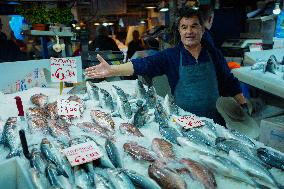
(82,153)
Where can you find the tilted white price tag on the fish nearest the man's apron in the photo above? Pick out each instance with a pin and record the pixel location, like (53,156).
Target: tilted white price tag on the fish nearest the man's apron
(189,121)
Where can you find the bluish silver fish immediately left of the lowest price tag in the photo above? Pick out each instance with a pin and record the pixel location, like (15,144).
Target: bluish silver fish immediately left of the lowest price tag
(51,157)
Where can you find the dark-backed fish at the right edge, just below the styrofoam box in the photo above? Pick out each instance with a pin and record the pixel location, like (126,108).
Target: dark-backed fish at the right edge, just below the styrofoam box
(271,158)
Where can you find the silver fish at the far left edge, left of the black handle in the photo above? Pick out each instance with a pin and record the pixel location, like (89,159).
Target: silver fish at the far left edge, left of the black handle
(10,137)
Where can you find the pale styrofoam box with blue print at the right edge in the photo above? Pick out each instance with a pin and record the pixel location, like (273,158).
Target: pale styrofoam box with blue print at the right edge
(272,132)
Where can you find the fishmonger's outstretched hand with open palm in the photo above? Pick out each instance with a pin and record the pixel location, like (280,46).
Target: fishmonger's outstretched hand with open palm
(101,70)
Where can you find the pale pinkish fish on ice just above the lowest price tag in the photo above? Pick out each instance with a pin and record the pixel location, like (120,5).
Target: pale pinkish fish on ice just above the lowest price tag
(95,128)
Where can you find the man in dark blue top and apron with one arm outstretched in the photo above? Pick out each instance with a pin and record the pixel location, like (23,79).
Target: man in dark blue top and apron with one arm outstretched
(197,72)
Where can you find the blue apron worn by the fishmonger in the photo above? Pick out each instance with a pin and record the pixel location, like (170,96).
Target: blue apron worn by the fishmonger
(197,89)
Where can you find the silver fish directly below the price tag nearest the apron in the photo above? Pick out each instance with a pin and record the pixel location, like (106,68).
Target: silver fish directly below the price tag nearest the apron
(197,136)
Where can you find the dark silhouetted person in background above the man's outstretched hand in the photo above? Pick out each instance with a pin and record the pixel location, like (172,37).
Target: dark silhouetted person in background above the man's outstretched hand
(102,41)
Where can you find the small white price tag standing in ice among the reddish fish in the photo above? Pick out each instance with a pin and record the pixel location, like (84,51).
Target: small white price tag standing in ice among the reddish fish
(68,108)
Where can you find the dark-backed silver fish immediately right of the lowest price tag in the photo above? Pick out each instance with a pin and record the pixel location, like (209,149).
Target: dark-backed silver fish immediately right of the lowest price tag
(113,153)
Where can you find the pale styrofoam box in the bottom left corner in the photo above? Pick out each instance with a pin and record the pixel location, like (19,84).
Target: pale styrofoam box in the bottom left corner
(13,175)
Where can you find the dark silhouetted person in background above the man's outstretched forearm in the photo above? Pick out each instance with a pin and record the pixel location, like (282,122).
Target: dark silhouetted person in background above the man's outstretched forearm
(134,45)
